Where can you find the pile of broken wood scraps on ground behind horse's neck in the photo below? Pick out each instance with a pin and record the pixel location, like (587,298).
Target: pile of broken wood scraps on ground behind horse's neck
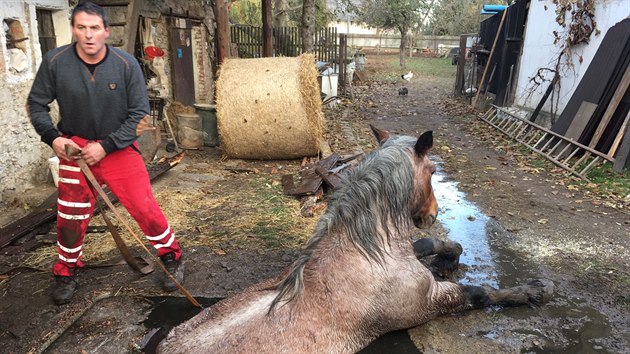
(317,179)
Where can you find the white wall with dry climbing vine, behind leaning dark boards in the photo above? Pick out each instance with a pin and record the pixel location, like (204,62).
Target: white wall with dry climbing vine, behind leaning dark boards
(539,50)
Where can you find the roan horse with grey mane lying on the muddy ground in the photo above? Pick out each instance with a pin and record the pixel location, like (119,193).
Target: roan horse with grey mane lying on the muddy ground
(358,276)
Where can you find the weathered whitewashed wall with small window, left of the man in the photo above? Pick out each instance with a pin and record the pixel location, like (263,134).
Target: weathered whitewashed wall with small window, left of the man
(23,156)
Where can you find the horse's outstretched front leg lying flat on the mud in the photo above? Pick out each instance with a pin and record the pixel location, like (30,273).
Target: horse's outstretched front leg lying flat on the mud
(451,297)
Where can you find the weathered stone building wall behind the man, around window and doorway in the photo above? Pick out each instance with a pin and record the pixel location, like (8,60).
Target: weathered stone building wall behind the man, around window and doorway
(23,157)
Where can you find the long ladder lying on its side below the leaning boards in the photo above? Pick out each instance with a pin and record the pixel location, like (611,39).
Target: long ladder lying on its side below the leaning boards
(575,158)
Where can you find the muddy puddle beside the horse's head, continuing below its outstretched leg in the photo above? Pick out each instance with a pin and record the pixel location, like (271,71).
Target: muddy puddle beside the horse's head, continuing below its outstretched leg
(576,327)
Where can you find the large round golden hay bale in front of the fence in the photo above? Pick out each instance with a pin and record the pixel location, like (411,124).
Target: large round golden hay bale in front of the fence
(269,108)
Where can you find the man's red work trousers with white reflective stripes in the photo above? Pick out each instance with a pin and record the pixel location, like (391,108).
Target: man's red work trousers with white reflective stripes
(125,174)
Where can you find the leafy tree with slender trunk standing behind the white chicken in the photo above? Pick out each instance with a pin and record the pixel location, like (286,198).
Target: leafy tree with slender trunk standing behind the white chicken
(402,15)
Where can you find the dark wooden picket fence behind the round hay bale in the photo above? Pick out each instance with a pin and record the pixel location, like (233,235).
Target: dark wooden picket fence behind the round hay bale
(287,42)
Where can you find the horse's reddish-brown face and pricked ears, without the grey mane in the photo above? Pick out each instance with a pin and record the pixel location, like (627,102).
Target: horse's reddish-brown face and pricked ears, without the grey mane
(425,207)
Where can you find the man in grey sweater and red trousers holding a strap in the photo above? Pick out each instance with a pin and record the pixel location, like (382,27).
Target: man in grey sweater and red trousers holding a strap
(102,98)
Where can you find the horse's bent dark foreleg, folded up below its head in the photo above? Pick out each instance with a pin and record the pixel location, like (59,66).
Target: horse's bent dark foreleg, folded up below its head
(446,253)
